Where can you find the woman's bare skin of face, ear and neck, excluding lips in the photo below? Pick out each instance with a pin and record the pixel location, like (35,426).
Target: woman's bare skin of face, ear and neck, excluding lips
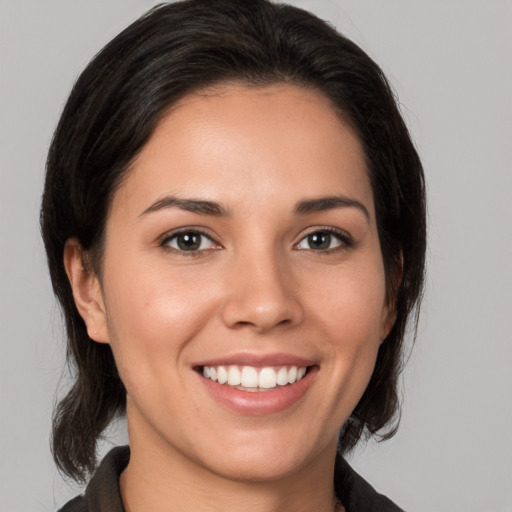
(256,286)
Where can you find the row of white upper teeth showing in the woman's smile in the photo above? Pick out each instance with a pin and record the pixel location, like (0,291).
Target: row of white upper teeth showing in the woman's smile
(252,378)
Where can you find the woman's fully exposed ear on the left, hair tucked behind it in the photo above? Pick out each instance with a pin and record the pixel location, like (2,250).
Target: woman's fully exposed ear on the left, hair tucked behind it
(86,291)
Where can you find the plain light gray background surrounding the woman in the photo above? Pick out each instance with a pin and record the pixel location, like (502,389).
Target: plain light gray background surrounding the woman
(450,62)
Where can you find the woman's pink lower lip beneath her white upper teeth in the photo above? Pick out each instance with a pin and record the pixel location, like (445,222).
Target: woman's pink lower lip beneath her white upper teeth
(260,403)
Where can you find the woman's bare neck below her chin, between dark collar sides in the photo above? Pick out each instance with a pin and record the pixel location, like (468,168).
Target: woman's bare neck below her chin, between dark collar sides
(161,479)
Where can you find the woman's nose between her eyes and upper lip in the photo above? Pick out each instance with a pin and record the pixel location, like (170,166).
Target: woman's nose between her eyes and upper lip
(262,293)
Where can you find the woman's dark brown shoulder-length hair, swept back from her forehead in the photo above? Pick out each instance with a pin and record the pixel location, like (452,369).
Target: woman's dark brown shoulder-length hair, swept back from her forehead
(114,107)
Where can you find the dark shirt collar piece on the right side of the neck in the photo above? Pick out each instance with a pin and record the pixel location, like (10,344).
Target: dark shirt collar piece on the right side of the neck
(356,494)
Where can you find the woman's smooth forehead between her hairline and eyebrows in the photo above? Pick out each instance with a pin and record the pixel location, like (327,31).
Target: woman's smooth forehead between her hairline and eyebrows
(274,142)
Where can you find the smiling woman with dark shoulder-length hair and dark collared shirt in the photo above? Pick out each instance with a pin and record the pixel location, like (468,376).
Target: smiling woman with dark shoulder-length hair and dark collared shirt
(234,219)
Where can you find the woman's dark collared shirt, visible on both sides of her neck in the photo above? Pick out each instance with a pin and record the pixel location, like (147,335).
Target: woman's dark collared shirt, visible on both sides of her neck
(103,493)
